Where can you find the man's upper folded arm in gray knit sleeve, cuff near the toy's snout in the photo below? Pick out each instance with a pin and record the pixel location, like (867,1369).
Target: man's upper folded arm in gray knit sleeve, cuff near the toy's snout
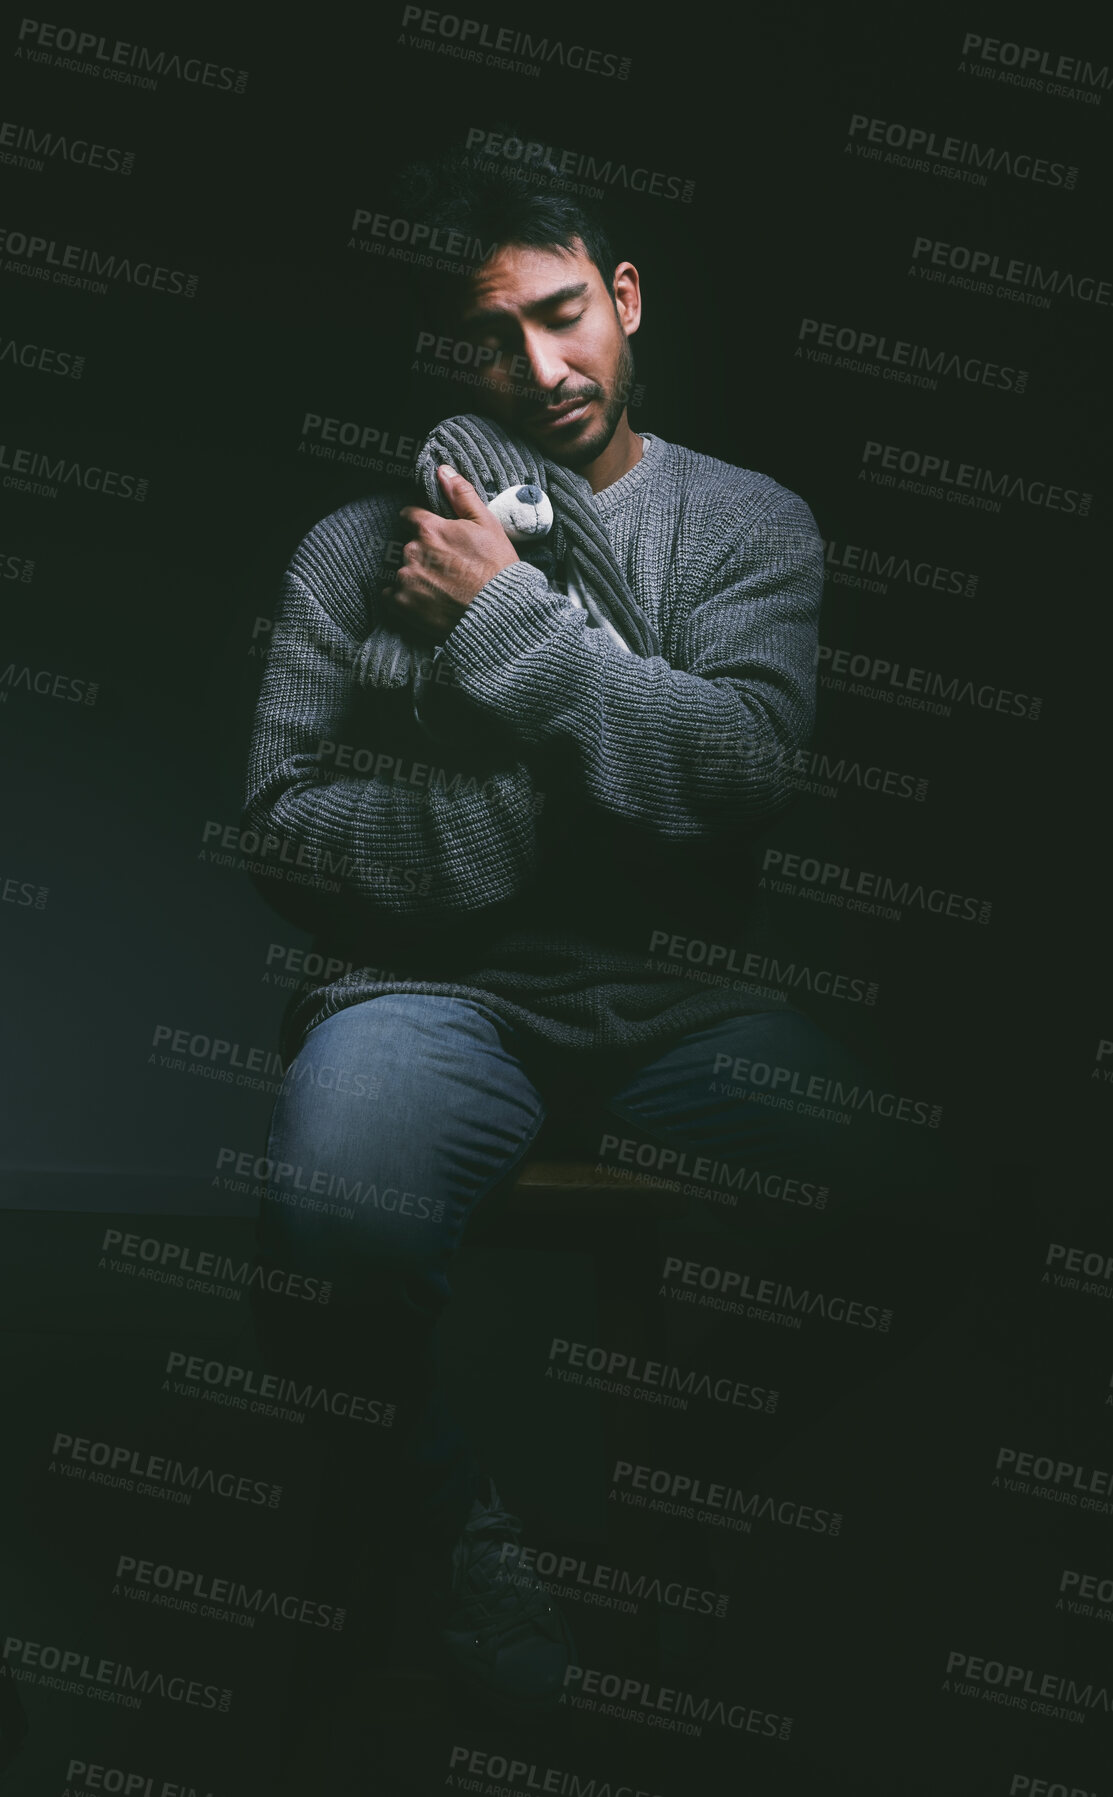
(684,752)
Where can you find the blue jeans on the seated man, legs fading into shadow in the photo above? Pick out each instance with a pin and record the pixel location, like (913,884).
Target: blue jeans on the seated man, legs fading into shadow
(402,1115)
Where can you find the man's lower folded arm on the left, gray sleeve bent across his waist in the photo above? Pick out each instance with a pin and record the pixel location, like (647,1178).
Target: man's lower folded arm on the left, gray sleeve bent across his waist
(452,844)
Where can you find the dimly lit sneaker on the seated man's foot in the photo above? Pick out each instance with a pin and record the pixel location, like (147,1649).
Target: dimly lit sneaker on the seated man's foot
(504,1638)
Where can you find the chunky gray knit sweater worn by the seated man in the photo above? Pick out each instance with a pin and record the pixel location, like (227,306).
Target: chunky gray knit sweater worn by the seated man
(555,804)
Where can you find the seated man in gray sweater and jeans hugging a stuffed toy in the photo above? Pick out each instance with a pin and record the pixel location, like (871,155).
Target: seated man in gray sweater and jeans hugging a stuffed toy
(503,842)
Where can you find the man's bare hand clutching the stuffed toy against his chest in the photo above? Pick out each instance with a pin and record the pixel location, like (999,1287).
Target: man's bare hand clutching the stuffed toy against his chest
(449,560)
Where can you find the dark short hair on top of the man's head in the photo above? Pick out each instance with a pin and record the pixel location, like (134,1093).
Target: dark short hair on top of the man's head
(492,208)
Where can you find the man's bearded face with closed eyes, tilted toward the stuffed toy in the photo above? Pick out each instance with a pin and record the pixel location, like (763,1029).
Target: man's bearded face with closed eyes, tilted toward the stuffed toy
(564,367)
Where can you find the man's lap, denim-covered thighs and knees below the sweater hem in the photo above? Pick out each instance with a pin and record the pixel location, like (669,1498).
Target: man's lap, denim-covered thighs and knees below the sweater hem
(441,1093)
